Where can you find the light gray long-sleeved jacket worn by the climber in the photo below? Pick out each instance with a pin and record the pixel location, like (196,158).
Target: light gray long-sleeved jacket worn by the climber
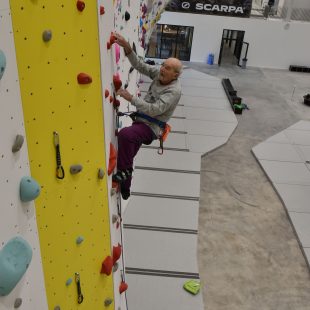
(160,100)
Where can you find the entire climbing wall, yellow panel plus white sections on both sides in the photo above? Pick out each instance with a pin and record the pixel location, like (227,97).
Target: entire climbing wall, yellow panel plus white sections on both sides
(58,83)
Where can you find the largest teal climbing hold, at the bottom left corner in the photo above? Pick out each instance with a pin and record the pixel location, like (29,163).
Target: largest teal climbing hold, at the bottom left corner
(15,258)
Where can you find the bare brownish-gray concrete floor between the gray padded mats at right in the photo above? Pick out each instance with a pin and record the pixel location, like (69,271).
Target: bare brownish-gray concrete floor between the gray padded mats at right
(249,257)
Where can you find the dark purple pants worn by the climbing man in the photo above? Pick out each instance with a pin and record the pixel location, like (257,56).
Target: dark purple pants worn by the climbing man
(130,140)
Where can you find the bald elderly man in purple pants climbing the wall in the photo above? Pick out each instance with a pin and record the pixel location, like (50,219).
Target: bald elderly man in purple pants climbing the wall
(154,111)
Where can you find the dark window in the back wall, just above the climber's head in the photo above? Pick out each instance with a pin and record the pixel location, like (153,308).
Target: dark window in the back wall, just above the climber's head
(171,41)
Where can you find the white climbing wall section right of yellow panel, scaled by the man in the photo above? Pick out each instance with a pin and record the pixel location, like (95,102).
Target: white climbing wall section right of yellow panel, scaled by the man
(127,19)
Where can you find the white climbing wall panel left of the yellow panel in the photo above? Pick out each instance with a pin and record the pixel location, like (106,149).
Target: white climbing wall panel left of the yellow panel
(17,218)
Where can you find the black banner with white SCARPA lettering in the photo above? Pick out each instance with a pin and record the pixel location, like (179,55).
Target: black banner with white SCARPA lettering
(239,8)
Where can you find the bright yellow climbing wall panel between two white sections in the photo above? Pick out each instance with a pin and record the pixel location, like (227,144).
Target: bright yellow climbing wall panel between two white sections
(54,101)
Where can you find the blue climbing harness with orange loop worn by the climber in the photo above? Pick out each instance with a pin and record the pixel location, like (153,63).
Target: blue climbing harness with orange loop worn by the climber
(165,128)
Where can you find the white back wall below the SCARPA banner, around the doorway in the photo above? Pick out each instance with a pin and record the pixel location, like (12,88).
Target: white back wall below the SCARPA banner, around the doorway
(271,45)
